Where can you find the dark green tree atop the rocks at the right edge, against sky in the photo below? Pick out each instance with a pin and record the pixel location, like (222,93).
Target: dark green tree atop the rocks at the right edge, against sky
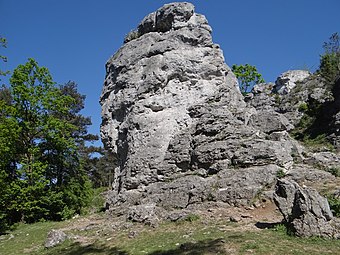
(330,61)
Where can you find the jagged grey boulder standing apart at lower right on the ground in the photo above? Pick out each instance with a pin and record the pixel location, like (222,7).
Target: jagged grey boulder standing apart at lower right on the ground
(304,210)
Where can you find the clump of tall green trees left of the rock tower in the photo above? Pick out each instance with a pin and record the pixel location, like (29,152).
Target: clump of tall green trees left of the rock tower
(41,171)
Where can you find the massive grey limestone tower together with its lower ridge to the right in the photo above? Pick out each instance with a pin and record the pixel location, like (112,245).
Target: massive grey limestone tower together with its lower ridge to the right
(183,133)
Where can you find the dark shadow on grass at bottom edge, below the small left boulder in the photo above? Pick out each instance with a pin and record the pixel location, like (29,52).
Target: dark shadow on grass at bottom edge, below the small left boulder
(76,249)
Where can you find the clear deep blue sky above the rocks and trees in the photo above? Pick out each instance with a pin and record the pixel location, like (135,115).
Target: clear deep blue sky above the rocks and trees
(74,38)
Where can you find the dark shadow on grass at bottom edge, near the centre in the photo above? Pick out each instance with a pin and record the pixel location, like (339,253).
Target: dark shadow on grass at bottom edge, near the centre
(197,248)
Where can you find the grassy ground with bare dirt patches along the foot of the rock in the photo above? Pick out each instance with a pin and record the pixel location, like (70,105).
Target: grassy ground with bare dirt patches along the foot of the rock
(202,236)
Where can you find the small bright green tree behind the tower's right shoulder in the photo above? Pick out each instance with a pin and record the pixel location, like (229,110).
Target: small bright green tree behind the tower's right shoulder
(247,76)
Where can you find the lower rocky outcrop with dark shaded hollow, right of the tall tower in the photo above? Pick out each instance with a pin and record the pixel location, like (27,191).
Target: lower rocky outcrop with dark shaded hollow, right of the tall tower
(312,100)
